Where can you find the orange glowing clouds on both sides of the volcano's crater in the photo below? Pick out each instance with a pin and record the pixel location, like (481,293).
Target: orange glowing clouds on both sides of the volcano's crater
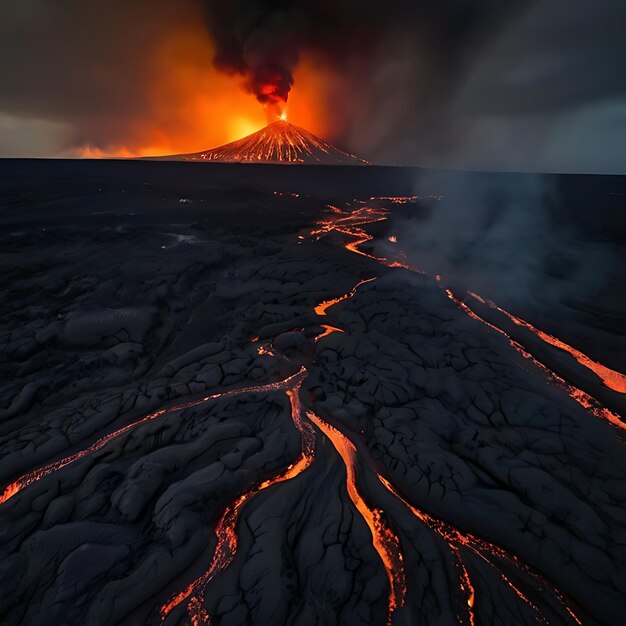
(191,106)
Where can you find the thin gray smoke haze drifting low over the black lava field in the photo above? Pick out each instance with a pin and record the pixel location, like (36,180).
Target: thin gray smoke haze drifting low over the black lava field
(505,237)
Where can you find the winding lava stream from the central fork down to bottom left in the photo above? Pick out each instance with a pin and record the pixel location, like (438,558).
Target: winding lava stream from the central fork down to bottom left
(225,530)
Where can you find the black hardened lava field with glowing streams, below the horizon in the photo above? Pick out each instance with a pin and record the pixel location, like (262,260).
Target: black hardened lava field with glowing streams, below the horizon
(230,399)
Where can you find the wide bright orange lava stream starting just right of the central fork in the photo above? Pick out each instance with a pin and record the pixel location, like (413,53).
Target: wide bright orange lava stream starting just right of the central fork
(385,542)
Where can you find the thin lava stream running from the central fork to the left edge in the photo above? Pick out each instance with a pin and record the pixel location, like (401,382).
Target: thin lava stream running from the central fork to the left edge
(39,473)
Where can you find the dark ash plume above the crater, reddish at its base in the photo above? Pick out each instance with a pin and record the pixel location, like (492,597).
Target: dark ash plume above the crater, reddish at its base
(261,40)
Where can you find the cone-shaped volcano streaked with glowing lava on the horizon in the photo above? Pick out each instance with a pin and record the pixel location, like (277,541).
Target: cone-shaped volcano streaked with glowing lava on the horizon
(279,142)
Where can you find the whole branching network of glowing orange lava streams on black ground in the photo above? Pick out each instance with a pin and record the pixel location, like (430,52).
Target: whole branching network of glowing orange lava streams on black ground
(384,540)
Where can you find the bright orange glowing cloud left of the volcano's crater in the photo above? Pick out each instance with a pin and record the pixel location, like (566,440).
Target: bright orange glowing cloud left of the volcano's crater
(190,105)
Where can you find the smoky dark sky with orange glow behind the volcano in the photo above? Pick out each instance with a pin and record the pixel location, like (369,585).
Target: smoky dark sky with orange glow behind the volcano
(521,84)
